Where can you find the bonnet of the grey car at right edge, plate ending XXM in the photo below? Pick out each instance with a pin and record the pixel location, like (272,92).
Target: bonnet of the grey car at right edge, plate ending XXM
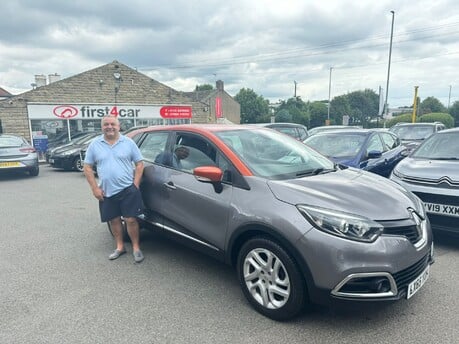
(429,168)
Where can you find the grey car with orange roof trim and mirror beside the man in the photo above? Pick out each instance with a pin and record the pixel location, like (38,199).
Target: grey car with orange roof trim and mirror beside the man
(297,227)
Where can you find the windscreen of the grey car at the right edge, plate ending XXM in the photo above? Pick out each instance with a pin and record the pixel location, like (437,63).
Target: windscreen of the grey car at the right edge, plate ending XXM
(444,146)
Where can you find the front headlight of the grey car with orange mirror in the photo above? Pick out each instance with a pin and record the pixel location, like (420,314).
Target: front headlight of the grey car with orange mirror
(342,224)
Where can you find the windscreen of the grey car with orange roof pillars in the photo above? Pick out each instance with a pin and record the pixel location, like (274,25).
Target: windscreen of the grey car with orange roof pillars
(272,155)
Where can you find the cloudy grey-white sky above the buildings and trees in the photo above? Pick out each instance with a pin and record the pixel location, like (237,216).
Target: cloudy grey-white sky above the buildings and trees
(279,49)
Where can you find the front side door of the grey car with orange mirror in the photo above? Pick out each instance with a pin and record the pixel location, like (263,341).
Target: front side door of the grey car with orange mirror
(191,208)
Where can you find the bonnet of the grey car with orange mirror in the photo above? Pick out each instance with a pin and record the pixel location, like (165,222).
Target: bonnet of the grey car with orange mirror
(351,190)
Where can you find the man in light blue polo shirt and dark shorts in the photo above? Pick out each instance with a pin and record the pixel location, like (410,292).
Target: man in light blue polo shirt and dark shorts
(118,189)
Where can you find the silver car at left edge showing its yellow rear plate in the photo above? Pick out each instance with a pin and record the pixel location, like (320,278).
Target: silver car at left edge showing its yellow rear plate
(18,155)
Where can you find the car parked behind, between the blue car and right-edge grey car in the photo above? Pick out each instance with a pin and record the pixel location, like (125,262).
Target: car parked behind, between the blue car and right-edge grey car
(412,134)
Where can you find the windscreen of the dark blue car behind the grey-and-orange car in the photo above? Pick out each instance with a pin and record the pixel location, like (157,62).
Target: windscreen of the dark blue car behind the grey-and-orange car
(336,145)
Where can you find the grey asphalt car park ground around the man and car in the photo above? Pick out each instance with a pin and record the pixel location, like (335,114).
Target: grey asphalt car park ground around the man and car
(58,286)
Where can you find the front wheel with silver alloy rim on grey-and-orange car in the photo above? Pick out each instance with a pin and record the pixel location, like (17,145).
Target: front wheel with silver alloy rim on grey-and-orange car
(270,279)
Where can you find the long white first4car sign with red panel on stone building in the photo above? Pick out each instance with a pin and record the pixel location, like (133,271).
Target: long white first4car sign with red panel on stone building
(85,111)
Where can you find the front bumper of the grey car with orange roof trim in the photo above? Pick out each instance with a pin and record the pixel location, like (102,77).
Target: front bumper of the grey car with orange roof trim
(350,270)
